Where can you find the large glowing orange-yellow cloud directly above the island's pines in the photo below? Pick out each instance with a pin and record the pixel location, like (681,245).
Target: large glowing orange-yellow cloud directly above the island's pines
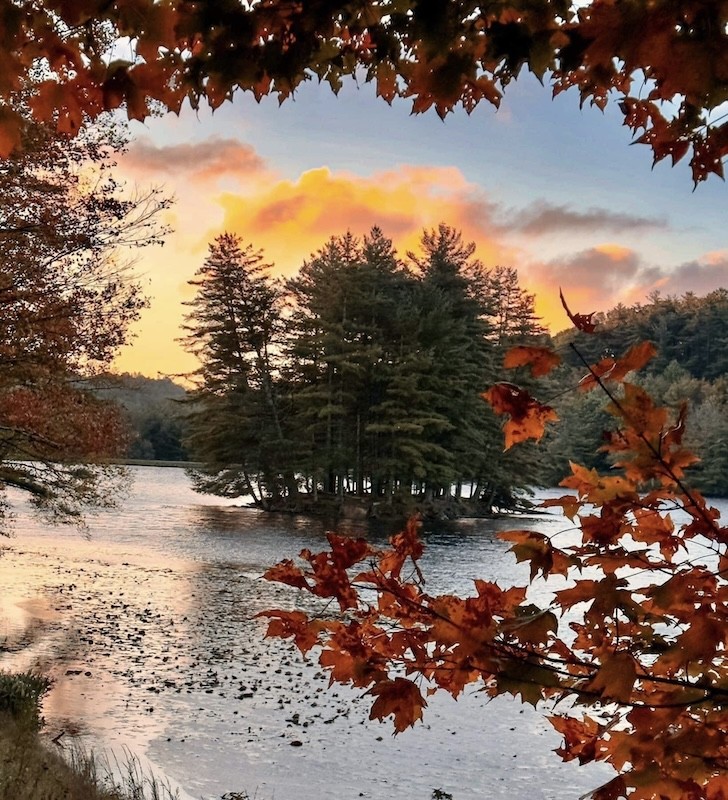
(291,219)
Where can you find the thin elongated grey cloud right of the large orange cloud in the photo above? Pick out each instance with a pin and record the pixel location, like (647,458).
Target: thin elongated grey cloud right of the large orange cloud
(542,218)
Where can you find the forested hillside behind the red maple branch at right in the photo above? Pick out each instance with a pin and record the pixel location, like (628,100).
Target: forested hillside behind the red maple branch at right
(691,337)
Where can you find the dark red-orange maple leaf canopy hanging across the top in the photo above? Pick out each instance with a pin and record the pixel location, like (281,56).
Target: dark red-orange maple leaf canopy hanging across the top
(666,62)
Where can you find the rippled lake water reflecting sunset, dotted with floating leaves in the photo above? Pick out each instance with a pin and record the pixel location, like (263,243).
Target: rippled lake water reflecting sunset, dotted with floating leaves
(147,627)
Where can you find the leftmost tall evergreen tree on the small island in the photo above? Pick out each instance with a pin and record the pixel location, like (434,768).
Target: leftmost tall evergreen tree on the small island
(237,426)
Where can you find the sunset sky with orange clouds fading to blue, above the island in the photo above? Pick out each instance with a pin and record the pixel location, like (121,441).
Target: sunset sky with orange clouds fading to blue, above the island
(555,191)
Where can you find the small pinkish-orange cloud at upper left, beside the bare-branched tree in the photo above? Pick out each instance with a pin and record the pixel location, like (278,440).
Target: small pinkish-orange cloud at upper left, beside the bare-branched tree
(207,161)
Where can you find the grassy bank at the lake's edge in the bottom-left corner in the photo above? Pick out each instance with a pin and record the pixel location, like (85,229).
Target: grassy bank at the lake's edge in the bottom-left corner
(33,768)
